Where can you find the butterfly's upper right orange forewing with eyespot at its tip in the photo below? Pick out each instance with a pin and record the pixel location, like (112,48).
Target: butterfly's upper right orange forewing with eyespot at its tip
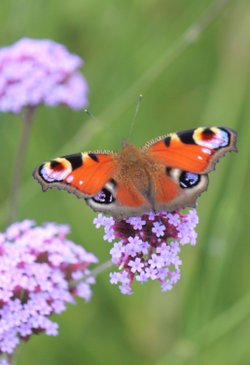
(195,150)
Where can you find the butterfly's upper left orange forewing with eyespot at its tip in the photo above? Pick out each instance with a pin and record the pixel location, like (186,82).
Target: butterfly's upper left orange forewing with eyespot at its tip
(84,174)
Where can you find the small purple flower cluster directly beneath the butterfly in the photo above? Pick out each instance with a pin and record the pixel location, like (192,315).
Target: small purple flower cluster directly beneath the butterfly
(148,246)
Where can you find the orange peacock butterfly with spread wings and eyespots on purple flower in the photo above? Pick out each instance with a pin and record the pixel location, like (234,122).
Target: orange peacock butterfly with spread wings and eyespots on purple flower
(166,173)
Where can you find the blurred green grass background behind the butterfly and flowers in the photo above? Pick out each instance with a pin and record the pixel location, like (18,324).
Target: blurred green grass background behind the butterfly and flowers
(205,319)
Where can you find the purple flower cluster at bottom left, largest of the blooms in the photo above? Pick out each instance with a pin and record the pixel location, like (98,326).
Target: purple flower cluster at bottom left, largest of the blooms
(38,266)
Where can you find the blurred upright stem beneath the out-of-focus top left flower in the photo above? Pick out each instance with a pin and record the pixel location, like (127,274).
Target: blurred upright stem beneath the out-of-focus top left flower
(27,121)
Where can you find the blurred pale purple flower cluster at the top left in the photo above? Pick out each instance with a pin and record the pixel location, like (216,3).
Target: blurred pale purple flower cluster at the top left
(34,72)
